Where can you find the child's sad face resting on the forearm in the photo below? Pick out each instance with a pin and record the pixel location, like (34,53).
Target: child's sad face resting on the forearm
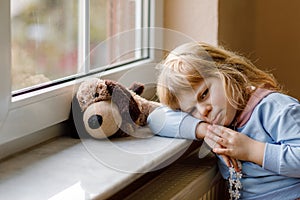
(207,101)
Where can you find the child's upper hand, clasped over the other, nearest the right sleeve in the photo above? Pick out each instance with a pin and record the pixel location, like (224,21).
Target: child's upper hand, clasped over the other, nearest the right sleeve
(235,144)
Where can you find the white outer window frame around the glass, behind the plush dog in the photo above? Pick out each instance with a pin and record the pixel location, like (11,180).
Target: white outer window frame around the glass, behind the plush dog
(22,118)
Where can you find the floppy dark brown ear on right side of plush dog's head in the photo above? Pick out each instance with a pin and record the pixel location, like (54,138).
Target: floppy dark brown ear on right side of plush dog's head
(126,104)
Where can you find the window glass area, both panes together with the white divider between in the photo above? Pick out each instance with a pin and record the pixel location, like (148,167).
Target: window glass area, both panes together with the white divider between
(55,40)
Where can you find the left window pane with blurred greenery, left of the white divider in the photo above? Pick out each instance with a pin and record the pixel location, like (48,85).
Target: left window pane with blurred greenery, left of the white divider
(44,40)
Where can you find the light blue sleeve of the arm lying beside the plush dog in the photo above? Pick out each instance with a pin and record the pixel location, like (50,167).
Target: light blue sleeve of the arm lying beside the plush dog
(169,123)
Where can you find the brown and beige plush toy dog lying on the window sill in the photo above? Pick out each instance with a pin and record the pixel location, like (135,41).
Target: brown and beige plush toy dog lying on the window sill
(105,108)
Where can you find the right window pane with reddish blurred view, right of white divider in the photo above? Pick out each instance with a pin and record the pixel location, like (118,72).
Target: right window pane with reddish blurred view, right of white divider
(116,32)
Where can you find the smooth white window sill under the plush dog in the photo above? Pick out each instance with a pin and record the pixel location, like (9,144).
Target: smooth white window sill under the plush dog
(68,168)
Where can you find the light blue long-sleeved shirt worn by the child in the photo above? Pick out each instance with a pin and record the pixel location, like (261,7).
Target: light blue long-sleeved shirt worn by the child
(275,120)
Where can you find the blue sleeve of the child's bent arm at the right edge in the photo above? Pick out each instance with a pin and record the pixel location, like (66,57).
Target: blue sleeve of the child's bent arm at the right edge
(283,123)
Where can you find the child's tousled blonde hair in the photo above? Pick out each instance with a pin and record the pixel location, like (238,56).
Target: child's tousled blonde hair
(191,63)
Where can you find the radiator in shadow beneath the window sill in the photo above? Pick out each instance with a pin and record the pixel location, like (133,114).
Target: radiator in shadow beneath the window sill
(191,178)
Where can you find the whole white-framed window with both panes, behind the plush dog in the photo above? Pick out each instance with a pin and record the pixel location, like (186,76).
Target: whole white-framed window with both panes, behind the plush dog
(50,45)
